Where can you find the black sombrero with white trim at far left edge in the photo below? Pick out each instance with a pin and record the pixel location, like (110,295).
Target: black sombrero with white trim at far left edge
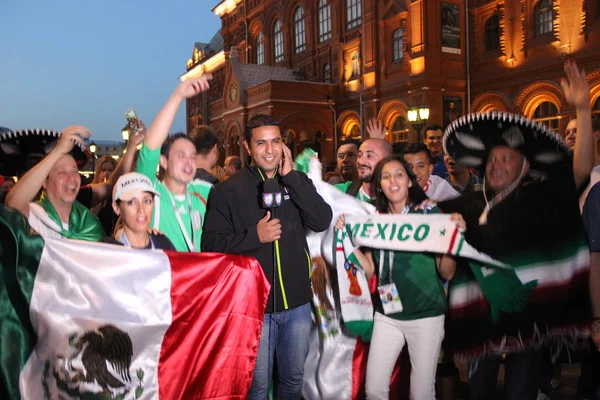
(21,150)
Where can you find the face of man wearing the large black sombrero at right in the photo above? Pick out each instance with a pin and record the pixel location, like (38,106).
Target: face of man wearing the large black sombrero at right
(503,167)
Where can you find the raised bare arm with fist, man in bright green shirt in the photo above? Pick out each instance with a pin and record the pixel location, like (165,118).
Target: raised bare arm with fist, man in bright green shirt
(159,130)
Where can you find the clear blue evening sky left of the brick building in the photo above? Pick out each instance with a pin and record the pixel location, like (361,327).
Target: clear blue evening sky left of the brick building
(66,62)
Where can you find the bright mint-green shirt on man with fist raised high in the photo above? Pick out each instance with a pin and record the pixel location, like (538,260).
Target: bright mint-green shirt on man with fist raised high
(164,217)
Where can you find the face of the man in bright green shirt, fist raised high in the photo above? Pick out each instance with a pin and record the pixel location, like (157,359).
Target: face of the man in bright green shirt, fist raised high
(180,165)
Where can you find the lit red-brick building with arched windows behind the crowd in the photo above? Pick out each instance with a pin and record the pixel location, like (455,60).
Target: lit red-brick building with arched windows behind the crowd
(329,65)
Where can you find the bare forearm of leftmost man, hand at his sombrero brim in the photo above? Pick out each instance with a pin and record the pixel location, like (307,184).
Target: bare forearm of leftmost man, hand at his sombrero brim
(30,184)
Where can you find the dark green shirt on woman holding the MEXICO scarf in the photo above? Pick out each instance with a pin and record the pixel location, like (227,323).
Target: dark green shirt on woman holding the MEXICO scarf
(417,280)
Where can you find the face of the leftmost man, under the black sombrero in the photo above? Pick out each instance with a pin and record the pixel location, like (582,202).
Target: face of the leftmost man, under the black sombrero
(63,181)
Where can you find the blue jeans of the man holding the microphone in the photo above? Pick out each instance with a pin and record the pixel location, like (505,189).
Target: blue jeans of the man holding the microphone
(286,333)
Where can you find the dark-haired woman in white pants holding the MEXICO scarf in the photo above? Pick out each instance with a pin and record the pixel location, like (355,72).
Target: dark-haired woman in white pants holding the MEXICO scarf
(415,316)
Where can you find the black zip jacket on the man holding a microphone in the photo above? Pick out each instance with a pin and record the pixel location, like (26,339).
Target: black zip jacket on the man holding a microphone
(234,209)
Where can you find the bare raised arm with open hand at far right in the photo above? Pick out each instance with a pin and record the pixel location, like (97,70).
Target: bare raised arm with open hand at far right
(577,93)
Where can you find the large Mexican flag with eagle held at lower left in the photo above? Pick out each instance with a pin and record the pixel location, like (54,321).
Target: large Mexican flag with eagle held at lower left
(87,320)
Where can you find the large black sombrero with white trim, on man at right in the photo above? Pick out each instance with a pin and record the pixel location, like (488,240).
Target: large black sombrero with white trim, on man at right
(470,138)
